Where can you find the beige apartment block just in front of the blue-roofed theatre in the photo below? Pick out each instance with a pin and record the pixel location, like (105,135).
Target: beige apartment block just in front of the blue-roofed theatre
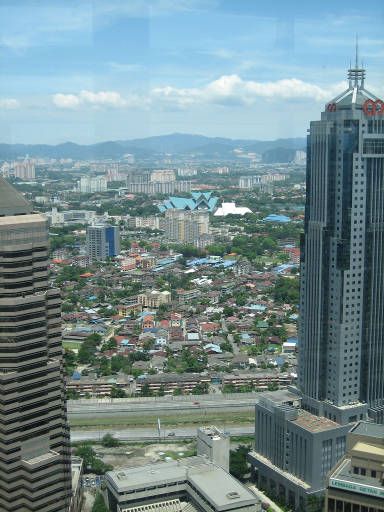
(186,227)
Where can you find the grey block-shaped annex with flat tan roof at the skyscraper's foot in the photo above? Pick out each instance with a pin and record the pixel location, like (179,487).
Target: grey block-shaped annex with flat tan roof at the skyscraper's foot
(294,450)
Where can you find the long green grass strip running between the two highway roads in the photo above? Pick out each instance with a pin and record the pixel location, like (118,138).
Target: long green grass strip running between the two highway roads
(169,420)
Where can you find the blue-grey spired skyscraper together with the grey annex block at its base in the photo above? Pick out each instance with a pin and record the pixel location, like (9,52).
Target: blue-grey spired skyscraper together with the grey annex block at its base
(341,344)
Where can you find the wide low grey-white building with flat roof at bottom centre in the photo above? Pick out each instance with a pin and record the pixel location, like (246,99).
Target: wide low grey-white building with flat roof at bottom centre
(192,485)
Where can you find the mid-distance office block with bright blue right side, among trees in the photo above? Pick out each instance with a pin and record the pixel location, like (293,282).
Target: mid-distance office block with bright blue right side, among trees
(103,241)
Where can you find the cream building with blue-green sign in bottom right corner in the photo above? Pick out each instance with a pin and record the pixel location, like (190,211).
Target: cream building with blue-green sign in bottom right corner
(356,484)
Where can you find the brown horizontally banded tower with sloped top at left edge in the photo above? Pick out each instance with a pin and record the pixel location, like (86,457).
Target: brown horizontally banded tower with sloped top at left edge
(35,466)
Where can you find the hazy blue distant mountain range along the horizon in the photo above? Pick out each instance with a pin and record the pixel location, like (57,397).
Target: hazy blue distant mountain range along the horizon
(197,146)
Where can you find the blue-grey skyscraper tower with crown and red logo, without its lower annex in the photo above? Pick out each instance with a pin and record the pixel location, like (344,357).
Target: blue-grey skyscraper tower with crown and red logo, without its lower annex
(341,356)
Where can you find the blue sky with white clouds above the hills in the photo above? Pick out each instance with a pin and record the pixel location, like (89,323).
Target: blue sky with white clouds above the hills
(95,70)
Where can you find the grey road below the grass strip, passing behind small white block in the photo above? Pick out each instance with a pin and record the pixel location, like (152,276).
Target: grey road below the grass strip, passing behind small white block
(145,434)
